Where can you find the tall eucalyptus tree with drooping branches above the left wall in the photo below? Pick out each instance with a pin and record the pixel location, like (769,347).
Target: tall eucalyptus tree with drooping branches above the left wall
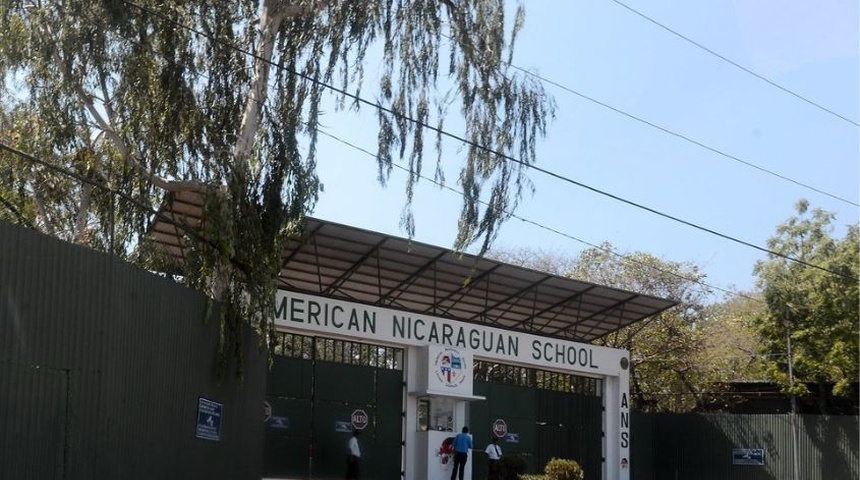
(143,99)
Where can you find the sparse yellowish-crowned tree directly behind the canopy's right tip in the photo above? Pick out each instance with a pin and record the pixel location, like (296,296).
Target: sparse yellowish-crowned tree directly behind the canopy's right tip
(664,372)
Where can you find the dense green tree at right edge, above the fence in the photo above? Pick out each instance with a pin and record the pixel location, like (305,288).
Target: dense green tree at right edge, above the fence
(816,307)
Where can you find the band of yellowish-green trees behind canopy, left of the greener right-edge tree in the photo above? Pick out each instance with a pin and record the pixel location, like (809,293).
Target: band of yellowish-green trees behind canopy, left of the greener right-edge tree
(680,356)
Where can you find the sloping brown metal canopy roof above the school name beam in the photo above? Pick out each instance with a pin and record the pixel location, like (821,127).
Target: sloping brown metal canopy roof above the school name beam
(353,264)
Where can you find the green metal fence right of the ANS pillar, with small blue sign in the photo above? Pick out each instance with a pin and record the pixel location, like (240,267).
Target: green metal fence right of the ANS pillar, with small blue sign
(744,447)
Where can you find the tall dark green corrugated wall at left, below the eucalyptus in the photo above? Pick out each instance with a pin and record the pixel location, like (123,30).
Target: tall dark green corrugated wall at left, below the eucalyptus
(101,367)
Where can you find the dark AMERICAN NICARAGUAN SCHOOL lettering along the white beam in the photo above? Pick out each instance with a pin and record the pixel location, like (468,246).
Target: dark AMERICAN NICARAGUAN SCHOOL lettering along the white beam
(355,319)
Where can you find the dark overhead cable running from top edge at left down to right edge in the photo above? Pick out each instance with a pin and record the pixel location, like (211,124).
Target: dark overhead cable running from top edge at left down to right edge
(466,141)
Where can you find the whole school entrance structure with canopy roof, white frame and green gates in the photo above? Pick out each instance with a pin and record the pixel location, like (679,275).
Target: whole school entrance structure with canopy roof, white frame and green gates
(360,316)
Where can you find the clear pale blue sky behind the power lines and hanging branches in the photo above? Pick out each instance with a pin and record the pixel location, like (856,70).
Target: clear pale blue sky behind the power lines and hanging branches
(604,51)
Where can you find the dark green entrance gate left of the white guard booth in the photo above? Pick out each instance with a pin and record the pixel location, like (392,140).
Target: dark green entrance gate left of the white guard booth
(318,391)
